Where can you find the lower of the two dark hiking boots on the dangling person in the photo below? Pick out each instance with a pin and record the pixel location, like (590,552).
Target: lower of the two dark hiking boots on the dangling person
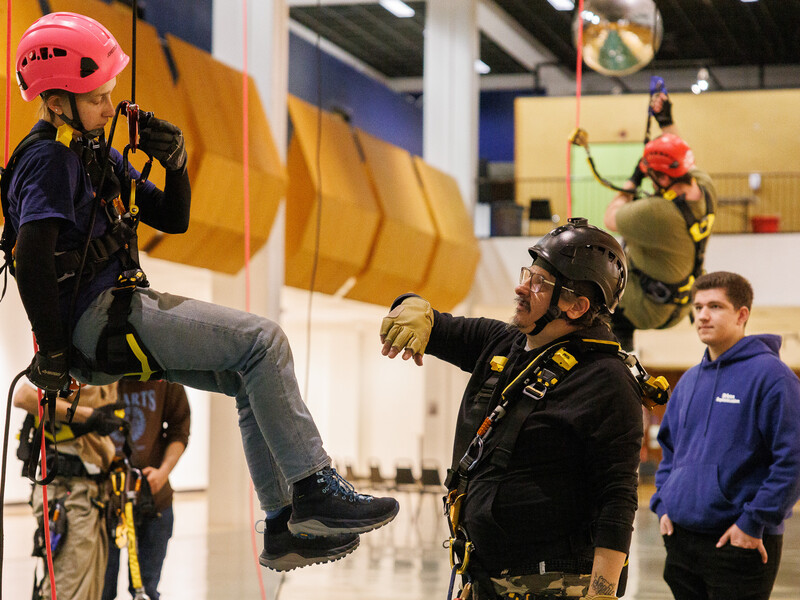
(284,551)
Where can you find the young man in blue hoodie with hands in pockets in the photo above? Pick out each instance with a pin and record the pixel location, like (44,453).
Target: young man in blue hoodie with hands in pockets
(730,472)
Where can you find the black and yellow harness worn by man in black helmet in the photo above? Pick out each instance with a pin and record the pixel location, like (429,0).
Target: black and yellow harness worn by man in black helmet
(516,402)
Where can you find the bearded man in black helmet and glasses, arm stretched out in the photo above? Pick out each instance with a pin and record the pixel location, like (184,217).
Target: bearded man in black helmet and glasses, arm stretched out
(548,499)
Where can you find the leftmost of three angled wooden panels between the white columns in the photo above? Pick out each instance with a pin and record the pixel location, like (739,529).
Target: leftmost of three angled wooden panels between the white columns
(350,215)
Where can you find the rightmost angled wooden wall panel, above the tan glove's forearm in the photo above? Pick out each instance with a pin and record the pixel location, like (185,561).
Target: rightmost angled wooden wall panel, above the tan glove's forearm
(452,271)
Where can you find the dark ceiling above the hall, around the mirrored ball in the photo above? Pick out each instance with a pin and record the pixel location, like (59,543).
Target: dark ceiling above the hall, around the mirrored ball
(710,33)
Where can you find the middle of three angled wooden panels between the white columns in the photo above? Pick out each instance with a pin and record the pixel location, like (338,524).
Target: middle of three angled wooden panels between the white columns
(406,240)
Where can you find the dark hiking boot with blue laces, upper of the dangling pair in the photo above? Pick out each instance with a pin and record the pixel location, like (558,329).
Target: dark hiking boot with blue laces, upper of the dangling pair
(325,504)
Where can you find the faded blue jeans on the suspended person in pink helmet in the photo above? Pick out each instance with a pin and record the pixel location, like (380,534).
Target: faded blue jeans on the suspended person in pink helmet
(232,352)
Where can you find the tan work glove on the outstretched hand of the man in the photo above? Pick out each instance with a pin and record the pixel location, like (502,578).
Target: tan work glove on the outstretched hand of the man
(407,327)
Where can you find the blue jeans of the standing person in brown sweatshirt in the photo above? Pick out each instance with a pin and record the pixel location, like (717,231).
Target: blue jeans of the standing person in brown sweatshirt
(152,536)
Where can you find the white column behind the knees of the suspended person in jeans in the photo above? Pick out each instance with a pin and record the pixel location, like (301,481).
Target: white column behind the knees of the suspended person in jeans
(267,63)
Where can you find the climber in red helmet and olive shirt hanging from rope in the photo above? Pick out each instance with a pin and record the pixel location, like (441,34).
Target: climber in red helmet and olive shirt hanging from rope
(664,234)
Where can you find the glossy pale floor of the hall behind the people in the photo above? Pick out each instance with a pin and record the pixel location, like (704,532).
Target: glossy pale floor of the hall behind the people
(404,560)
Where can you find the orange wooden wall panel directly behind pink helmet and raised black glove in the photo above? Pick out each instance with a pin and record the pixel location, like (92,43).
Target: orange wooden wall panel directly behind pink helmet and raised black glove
(155,90)
